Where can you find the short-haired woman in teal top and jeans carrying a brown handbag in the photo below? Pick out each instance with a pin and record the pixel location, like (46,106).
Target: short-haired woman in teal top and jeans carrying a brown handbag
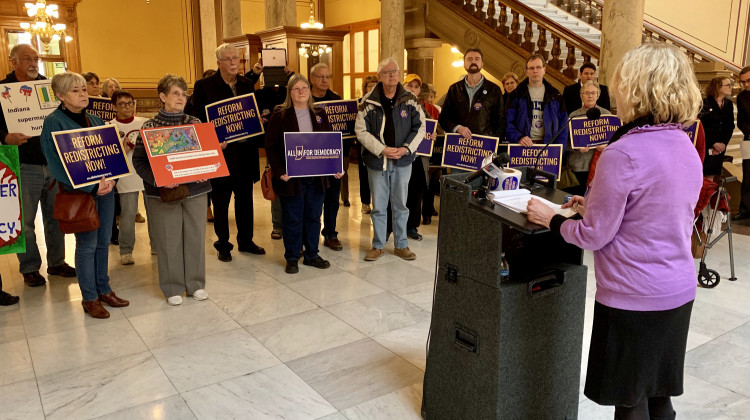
(91,247)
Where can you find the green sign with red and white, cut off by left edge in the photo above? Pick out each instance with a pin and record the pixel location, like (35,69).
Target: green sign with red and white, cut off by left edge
(12,239)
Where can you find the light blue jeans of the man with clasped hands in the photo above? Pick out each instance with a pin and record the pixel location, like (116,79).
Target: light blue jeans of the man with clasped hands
(392,183)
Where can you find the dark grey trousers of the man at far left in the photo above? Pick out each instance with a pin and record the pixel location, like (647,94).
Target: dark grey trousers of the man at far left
(35,179)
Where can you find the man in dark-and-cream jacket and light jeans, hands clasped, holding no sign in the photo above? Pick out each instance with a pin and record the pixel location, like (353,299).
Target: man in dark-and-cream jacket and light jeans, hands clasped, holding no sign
(390,125)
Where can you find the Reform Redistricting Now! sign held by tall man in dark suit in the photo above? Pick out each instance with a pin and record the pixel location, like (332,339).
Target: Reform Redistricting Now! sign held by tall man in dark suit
(235,118)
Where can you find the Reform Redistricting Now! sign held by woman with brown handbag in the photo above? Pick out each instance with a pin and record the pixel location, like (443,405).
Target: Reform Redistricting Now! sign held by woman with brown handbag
(88,154)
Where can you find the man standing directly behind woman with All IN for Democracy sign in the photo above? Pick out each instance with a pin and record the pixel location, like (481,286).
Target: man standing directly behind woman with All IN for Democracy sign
(320,80)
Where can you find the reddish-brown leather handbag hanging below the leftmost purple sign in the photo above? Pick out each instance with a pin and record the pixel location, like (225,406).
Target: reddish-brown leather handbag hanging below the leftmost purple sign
(75,211)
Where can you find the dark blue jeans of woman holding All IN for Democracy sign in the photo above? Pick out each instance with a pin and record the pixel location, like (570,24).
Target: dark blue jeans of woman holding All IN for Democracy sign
(301,214)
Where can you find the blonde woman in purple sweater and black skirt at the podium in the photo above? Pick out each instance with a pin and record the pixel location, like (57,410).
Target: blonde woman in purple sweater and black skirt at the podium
(638,218)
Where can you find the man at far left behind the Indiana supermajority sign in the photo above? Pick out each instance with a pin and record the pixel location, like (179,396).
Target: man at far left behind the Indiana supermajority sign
(37,183)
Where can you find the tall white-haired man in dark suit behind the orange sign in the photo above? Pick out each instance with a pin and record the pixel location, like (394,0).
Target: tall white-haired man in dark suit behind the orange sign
(241,157)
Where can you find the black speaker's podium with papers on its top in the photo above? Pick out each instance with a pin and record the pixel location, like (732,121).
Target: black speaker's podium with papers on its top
(503,347)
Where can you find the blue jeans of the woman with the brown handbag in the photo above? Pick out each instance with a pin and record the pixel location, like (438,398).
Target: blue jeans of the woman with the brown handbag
(92,251)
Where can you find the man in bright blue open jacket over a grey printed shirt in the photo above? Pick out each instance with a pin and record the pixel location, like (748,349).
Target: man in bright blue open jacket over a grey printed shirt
(535,110)
